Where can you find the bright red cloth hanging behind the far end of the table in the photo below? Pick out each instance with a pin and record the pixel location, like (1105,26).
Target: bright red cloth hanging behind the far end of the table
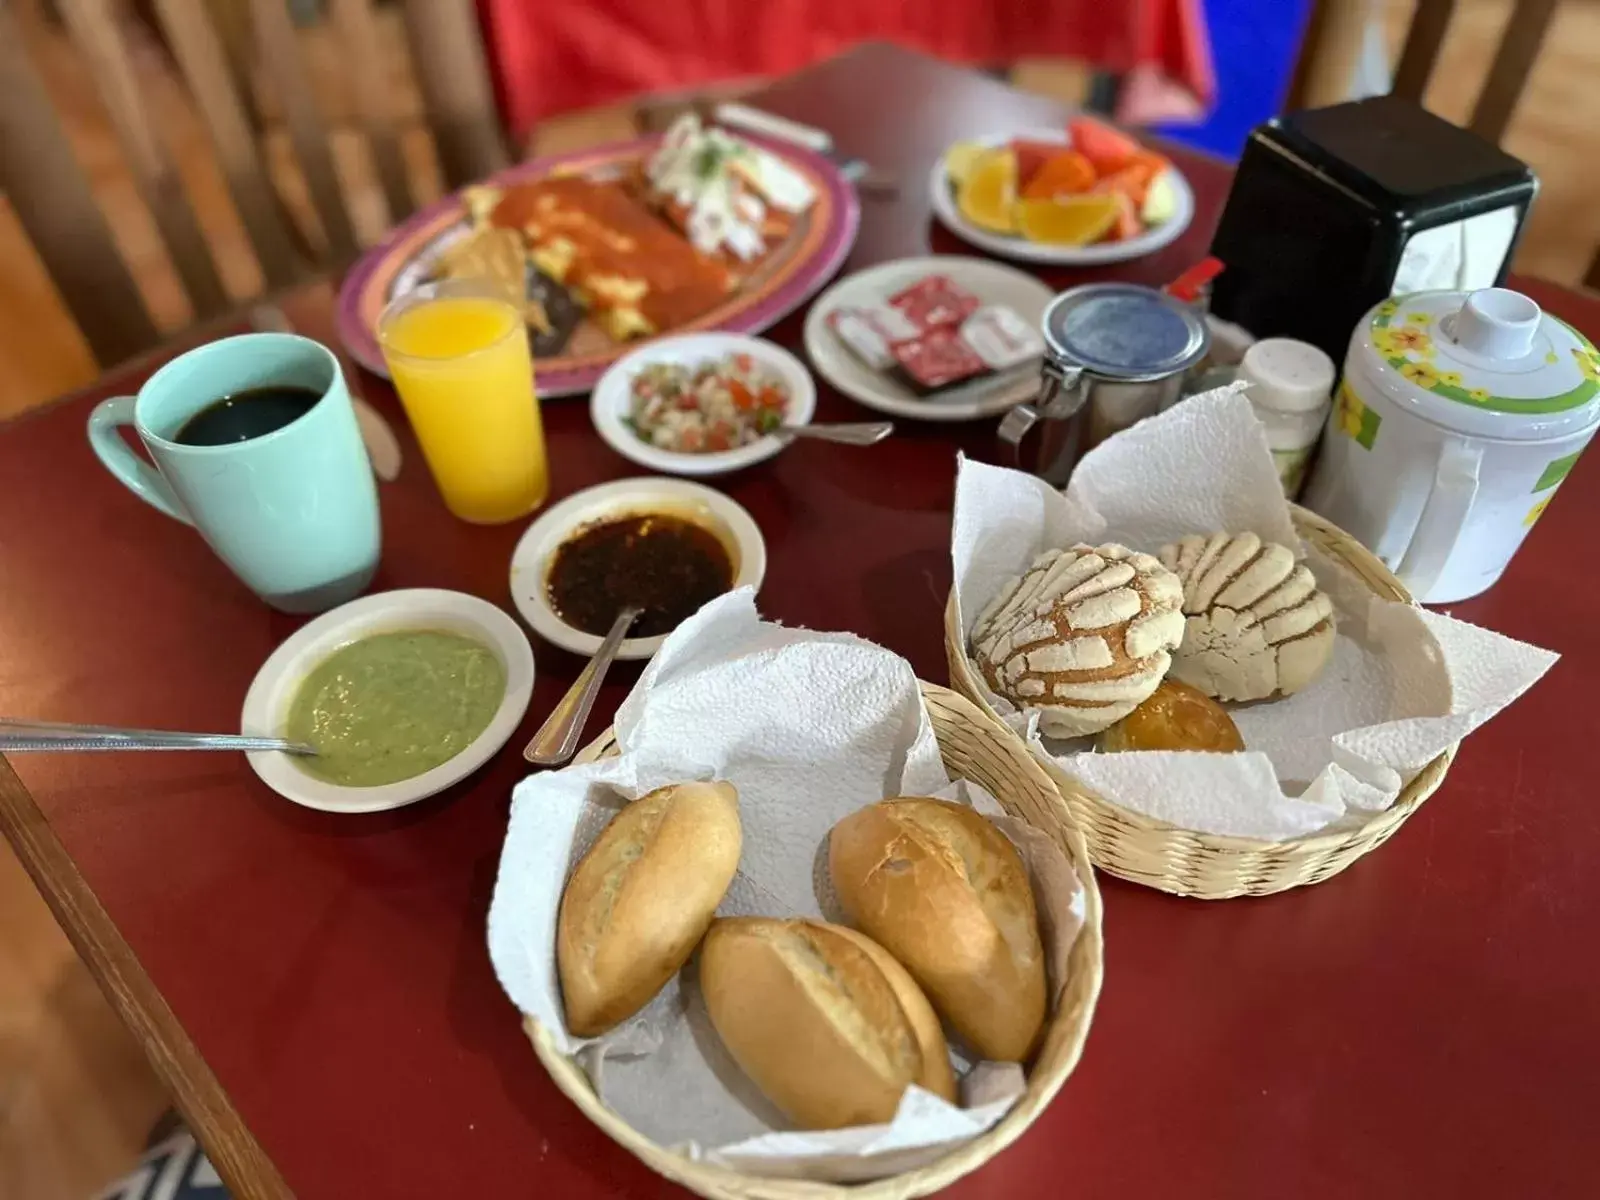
(553,57)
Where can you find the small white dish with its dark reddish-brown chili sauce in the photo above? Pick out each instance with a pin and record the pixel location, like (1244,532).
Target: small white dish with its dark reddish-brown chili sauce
(663,545)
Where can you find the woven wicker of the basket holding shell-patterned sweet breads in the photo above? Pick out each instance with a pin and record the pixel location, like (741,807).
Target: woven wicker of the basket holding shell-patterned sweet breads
(1210,866)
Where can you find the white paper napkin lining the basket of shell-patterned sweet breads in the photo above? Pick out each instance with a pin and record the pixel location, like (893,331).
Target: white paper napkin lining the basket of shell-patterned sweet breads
(1404,684)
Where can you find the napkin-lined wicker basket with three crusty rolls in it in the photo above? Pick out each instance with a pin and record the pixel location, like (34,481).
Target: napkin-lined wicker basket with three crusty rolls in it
(839,938)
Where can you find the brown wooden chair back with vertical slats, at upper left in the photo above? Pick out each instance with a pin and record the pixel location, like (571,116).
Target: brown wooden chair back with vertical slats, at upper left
(50,193)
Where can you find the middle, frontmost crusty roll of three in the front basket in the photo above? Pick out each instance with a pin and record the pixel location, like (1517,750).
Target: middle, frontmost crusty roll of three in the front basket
(823,1020)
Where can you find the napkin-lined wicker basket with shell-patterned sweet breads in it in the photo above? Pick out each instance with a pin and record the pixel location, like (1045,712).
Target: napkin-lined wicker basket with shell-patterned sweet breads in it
(1233,695)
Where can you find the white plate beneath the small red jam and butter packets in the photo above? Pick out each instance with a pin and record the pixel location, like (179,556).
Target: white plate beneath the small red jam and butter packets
(991,282)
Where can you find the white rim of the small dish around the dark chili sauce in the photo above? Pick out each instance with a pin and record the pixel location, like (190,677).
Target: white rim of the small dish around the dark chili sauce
(530,564)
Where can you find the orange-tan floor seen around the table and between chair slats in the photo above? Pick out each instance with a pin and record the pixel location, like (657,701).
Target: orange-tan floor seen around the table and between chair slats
(76,1095)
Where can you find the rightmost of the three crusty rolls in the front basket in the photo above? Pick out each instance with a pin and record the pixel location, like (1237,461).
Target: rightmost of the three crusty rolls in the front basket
(948,895)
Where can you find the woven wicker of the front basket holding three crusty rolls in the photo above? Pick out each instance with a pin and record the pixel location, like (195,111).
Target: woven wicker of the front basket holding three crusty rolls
(974,750)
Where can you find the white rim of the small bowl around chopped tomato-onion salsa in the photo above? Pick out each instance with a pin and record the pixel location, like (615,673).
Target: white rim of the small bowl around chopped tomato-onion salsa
(609,407)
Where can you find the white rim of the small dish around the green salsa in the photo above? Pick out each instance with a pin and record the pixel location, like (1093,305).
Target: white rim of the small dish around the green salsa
(273,692)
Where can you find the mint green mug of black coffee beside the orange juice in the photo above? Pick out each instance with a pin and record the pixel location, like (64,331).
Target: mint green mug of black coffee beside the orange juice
(292,511)
